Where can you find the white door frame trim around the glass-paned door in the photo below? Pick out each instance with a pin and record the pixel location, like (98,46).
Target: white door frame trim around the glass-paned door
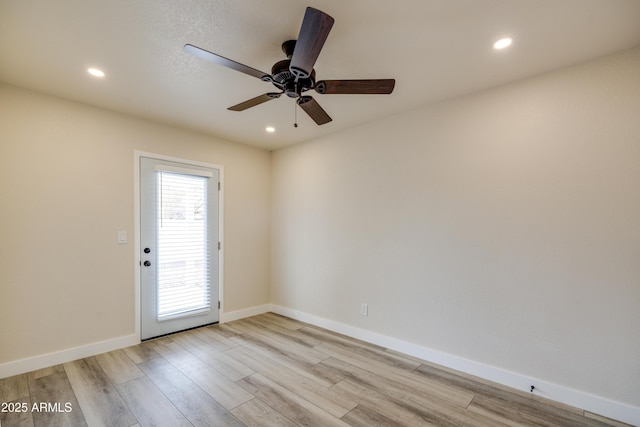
(137,227)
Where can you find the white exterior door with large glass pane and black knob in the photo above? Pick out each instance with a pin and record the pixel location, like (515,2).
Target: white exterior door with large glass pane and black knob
(179,246)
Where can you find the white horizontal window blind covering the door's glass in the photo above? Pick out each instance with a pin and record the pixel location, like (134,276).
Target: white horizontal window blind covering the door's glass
(183,263)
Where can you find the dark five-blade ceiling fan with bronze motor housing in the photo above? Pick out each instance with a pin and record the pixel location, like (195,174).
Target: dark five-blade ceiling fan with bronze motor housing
(295,75)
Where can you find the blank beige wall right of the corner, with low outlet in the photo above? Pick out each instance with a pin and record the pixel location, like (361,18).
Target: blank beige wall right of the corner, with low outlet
(502,227)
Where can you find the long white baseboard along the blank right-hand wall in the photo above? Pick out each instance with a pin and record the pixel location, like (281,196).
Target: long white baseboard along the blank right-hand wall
(588,402)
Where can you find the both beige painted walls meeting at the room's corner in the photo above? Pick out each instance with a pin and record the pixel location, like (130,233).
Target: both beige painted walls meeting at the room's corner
(501,227)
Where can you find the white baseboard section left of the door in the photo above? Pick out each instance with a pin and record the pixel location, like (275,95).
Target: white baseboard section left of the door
(49,359)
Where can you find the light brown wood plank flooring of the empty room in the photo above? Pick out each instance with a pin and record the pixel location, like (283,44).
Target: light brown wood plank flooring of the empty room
(268,370)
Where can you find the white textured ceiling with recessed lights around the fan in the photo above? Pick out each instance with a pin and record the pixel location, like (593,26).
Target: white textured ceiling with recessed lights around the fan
(435,49)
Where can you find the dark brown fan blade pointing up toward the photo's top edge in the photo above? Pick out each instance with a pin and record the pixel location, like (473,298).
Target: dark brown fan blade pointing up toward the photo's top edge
(315,28)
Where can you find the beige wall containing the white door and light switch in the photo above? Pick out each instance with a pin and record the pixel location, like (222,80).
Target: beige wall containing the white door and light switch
(66,188)
